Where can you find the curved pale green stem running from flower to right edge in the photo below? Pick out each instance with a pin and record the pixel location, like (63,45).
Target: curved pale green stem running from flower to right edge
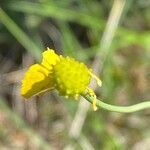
(119,109)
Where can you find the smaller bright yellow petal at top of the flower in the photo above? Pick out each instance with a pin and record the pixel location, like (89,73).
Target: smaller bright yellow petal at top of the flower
(49,59)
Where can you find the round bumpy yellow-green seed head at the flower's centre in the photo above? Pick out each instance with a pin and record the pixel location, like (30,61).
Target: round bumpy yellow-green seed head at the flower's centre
(71,77)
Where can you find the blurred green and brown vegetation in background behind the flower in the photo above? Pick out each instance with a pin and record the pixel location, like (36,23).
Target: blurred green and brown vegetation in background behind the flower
(74,28)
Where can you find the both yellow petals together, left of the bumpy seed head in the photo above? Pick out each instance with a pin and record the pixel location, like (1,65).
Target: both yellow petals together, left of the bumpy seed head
(39,76)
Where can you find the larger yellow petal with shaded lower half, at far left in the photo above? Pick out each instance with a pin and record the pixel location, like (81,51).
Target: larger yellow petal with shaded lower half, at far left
(36,79)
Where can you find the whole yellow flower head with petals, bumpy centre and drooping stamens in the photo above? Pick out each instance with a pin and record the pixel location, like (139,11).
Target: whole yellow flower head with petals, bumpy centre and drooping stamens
(70,77)
